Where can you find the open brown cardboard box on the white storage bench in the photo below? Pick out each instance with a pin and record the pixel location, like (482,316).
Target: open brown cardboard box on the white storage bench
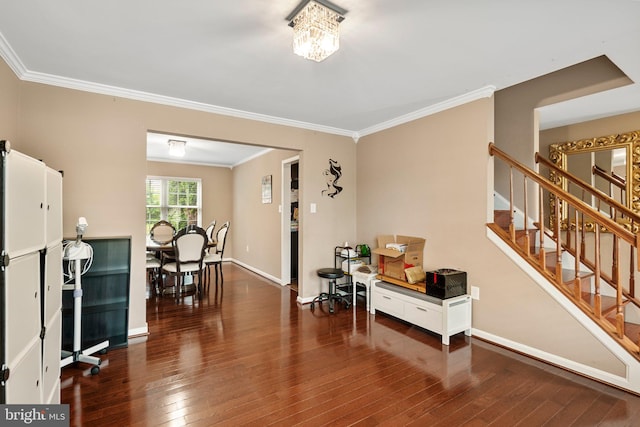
(391,262)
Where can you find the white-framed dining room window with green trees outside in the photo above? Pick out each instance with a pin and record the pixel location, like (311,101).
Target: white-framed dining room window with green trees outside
(177,200)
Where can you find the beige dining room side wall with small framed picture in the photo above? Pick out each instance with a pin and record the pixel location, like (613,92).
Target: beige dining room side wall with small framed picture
(261,232)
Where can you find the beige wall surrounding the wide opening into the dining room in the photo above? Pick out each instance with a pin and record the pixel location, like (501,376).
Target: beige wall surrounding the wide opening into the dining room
(100,143)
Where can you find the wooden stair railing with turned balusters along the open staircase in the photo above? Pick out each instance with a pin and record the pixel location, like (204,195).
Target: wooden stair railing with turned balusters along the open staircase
(587,250)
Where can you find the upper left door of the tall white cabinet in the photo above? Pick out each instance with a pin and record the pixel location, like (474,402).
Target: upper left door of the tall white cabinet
(25,186)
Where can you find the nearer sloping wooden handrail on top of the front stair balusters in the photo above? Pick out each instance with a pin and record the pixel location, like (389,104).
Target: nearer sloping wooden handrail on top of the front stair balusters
(604,222)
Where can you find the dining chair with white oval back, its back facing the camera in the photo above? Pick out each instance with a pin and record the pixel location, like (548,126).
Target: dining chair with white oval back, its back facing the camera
(189,245)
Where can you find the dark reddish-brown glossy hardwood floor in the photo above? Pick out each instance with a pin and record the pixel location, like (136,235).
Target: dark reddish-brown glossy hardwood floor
(251,356)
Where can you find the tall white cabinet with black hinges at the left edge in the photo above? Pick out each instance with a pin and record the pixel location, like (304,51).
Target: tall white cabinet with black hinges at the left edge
(30,279)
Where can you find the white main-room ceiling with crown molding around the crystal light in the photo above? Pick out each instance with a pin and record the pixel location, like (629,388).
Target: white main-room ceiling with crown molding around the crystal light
(397,58)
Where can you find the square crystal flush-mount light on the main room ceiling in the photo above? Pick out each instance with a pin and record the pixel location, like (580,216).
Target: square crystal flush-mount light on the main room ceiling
(316,32)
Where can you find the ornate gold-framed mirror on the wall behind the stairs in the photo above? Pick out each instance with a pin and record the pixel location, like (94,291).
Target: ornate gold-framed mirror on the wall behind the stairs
(609,163)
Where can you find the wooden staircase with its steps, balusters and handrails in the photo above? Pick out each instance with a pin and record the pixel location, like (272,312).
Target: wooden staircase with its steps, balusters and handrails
(571,259)
